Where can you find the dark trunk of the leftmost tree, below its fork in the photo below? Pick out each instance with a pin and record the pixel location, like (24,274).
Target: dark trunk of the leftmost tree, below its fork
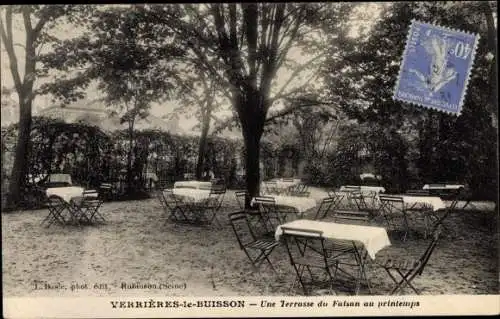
(19,169)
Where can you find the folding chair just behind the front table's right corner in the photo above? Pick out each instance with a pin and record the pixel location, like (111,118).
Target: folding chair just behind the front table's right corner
(393,208)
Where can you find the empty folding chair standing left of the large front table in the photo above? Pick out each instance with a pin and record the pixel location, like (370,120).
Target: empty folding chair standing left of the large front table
(257,249)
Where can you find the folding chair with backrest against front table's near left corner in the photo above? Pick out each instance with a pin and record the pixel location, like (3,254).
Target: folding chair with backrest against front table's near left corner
(307,252)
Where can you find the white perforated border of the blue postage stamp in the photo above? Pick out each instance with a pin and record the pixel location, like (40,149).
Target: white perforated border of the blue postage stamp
(467,78)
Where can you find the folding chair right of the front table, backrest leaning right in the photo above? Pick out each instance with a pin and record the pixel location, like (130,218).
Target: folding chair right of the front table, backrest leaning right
(408,269)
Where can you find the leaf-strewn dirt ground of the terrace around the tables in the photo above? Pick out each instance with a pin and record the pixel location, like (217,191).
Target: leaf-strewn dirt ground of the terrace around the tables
(135,246)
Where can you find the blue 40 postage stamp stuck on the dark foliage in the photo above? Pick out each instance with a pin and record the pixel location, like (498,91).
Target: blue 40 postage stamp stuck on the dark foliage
(436,67)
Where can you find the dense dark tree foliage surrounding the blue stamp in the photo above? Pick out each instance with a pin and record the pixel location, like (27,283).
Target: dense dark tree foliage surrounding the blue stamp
(449,148)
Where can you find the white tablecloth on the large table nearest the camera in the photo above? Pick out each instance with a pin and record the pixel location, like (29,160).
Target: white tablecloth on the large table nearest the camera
(373,238)
